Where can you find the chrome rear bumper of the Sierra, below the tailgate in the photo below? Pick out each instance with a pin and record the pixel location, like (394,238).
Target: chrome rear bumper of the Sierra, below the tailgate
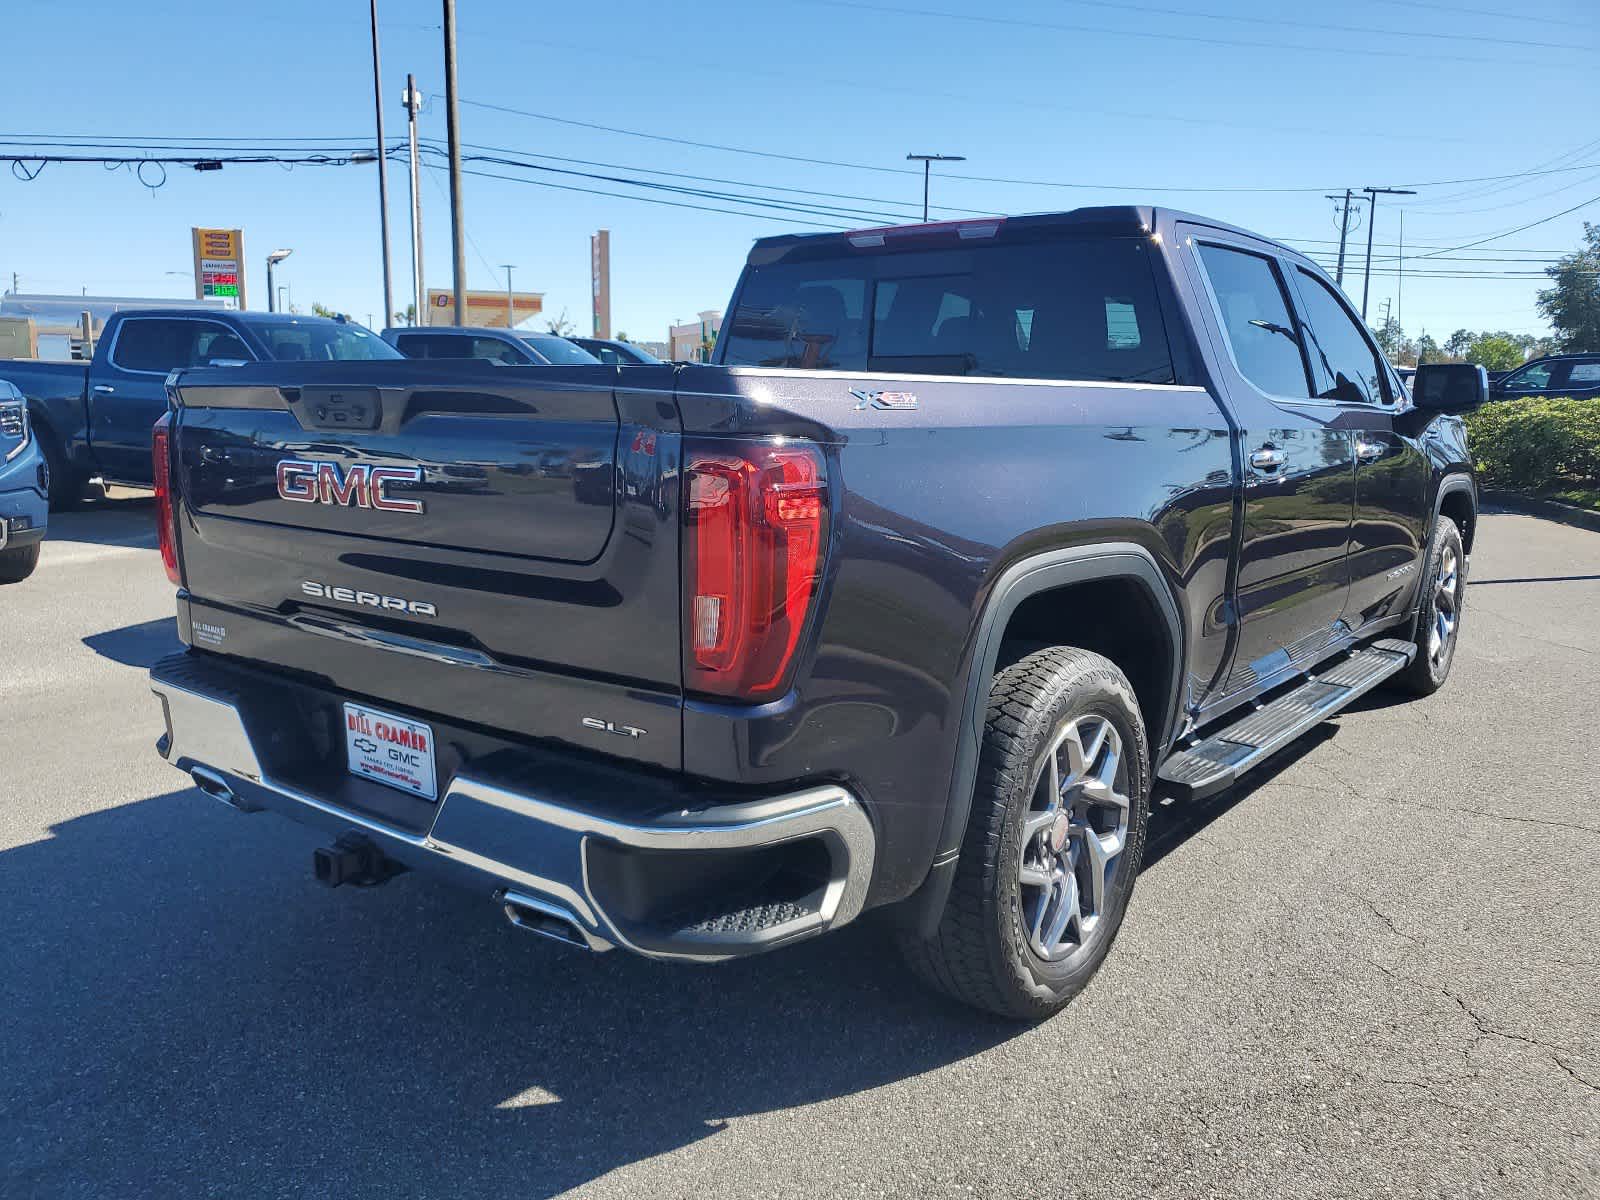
(535,857)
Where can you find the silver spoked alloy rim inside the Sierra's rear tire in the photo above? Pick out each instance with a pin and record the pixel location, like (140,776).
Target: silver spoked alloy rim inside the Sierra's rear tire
(1073,838)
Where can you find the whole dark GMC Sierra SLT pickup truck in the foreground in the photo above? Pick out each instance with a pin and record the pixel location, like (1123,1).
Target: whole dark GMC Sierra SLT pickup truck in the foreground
(974,538)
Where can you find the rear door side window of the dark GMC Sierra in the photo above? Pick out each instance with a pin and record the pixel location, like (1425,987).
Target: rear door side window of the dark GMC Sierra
(1257,319)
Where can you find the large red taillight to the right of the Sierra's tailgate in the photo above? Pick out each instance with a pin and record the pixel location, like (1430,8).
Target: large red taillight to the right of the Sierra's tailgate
(754,545)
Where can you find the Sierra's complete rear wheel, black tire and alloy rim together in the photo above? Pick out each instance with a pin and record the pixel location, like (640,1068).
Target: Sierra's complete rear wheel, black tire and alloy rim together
(1054,844)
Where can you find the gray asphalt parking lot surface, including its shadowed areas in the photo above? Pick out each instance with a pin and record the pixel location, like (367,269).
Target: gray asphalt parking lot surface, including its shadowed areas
(1372,972)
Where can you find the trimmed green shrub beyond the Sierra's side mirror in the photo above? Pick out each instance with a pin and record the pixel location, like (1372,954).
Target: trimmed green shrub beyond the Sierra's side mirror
(1537,444)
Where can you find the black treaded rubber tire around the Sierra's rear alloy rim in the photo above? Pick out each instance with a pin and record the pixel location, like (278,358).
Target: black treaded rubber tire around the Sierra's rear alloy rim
(982,953)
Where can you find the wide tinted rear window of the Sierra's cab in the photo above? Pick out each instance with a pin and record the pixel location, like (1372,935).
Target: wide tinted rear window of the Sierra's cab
(1066,310)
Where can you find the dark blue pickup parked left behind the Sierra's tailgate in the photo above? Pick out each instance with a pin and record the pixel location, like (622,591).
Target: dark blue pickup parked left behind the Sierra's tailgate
(95,420)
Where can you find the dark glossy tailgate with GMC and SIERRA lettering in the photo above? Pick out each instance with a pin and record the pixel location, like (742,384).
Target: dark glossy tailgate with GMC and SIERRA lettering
(498,543)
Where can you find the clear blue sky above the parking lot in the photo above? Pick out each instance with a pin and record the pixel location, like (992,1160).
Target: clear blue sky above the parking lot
(1265,105)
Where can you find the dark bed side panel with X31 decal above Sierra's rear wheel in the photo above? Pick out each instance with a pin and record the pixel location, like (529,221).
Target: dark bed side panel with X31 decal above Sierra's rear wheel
(930,508)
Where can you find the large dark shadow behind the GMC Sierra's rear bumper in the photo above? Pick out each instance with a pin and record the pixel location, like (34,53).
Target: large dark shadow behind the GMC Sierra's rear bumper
(190,1015)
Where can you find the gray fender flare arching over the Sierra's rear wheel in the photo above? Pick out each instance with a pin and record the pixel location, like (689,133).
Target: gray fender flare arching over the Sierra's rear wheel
(1023,580)
